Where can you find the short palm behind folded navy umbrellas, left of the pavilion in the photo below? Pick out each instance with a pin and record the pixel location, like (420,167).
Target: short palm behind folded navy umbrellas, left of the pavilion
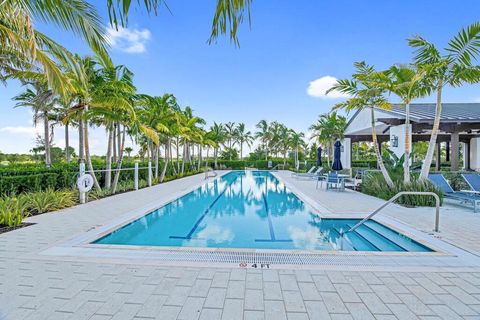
(329,128)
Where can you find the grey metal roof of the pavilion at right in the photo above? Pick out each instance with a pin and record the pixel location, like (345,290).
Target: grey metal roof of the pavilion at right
(451,112)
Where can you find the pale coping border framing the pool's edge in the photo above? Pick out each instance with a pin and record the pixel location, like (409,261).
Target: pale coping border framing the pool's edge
(81,245)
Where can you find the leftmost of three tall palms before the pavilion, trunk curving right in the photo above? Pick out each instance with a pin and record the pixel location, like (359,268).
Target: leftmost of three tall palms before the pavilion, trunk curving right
(365,93)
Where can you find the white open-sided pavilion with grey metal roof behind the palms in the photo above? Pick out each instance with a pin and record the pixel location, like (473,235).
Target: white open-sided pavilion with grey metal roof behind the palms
(459,125)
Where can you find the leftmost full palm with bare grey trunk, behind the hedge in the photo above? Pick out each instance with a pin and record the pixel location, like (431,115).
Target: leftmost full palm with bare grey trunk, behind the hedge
(41,99)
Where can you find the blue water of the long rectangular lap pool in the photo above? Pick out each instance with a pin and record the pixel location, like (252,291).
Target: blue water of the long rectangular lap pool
(252,209)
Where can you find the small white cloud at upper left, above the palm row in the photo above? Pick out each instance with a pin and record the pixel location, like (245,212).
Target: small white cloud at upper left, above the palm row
(128,40)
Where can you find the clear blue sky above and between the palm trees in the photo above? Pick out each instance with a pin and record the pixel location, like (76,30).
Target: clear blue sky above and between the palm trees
(289,45)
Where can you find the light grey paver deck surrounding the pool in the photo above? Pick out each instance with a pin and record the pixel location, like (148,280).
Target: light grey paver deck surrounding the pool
(35,285)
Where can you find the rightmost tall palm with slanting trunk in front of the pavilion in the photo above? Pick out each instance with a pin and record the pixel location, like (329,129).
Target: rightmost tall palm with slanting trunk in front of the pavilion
(454,67)
